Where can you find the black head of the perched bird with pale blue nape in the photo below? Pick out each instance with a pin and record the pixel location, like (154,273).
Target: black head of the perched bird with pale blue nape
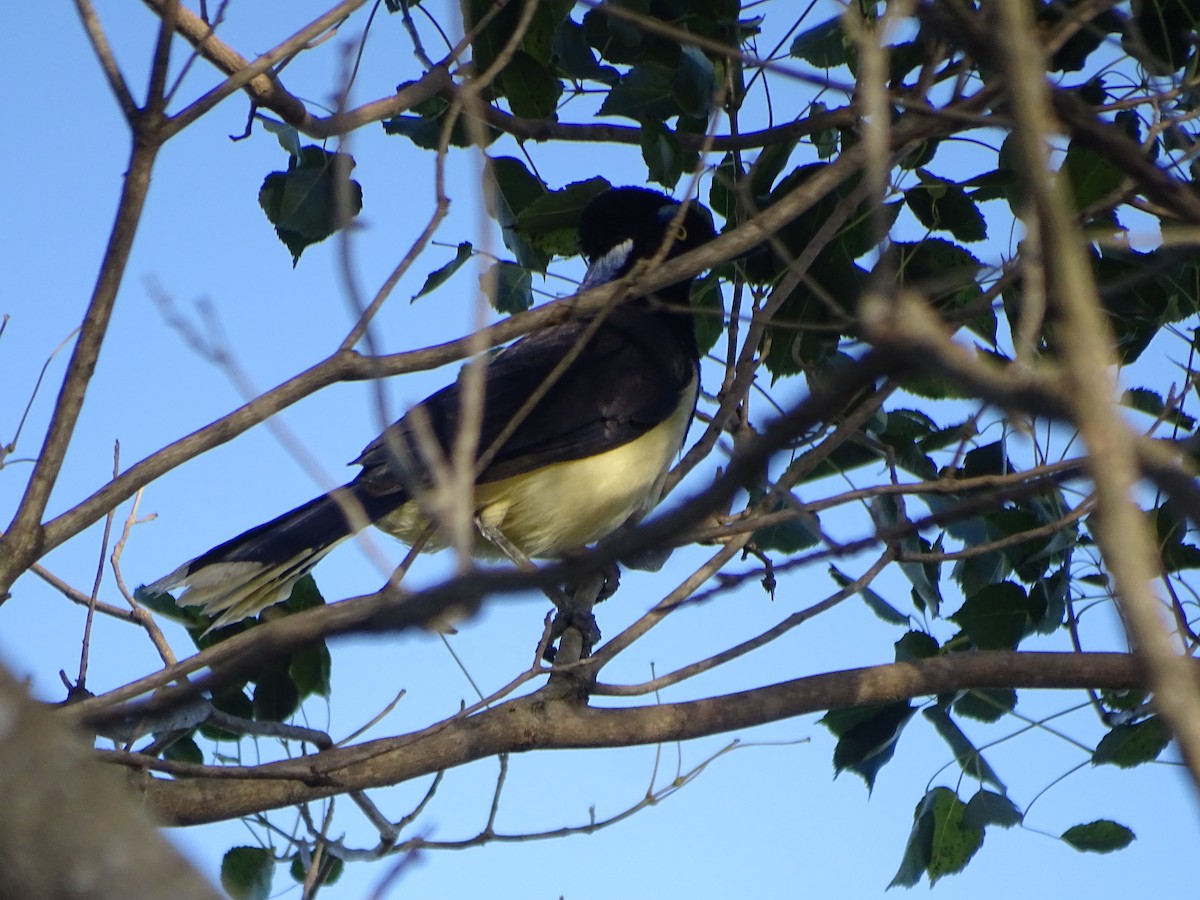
(626,225)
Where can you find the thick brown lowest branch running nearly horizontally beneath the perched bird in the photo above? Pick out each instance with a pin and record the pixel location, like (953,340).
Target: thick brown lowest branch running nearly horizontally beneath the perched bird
(535,724)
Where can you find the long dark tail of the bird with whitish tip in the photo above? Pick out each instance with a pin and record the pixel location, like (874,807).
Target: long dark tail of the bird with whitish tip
(259,568)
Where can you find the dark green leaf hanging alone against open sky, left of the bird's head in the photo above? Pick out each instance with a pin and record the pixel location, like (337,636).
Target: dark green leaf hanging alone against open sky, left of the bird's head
(313,200)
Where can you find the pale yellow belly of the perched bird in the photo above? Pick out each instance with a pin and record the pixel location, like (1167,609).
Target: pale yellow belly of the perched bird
(566,506)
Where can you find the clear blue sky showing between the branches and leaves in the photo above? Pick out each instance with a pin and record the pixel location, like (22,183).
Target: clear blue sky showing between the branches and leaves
(769,819)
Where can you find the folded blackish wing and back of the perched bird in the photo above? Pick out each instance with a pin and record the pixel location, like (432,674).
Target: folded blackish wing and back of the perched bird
(634,373)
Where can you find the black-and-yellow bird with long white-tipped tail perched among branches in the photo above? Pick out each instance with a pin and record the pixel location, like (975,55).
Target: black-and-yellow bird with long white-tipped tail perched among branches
(587,457)
